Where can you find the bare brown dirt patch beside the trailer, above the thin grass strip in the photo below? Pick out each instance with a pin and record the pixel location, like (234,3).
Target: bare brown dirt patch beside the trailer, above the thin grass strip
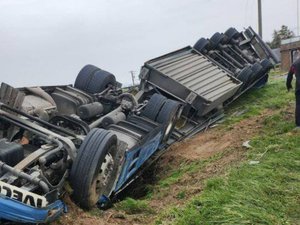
(215,140)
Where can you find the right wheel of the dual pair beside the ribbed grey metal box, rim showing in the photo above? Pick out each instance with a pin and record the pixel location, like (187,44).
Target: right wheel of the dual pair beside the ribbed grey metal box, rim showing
(168,117)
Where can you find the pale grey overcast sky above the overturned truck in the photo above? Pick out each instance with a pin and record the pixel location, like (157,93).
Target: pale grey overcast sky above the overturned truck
(48,42)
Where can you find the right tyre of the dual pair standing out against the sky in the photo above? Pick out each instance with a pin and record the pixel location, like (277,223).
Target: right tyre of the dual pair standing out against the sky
(100,81)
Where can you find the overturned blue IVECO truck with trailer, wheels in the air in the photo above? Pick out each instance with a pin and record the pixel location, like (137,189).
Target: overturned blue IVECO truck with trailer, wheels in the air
(99,138)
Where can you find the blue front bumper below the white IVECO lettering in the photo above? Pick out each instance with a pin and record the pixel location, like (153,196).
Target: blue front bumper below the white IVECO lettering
(15,211)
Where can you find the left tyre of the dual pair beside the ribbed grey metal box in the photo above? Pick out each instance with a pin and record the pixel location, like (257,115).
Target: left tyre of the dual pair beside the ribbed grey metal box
(154,106)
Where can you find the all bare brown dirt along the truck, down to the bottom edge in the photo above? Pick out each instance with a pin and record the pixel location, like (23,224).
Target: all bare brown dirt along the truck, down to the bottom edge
(221,139)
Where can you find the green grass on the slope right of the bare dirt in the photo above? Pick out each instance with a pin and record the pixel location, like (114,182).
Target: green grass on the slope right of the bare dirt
(264,193)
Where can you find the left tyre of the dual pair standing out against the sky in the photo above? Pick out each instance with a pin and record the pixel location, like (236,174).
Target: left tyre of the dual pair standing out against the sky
(84,76)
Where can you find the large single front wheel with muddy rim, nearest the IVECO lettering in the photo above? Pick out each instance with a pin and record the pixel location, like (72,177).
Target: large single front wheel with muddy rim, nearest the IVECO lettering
(93,172)
